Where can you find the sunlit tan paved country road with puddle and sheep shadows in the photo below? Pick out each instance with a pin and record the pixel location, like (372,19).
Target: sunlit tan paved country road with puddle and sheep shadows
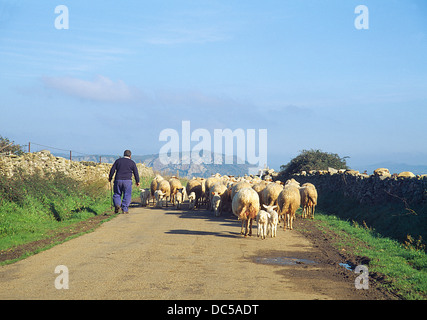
(169,254)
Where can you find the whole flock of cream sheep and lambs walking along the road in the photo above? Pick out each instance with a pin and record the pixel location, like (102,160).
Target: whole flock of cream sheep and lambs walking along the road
(249,198)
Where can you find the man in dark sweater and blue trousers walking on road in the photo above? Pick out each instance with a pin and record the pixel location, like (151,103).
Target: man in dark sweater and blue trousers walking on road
(124,168)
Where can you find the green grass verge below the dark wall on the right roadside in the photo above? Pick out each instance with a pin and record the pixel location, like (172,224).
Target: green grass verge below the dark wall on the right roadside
(403,265)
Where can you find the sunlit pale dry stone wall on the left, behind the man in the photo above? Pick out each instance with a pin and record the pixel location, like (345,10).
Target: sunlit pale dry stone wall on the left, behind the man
(43,162)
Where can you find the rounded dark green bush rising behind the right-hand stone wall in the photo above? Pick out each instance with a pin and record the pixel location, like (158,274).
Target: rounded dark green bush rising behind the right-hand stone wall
(313,160)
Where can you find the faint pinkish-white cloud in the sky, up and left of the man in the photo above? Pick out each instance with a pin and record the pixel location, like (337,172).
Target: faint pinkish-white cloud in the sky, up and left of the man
(100,89)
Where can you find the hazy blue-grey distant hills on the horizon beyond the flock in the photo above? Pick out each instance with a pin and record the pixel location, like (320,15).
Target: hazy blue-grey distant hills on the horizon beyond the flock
(183,170)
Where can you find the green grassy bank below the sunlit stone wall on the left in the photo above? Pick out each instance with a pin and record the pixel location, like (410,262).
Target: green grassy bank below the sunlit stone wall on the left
(32,206)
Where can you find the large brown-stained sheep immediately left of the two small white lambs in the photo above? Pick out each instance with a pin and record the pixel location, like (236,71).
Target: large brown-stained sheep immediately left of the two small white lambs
(245,206)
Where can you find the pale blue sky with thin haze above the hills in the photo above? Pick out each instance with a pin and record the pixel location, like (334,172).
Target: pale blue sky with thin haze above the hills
(126,70)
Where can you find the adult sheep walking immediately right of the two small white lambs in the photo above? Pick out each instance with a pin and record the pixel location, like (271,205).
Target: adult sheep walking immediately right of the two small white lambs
(289,201)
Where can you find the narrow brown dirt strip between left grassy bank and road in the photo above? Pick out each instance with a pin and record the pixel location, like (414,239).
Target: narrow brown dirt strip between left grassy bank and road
(55,236)
